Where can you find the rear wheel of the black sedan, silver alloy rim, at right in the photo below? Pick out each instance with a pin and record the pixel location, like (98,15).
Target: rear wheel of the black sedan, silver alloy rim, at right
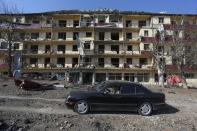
(145,109)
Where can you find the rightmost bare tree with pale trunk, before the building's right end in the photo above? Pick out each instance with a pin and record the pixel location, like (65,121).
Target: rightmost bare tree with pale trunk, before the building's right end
(184,47)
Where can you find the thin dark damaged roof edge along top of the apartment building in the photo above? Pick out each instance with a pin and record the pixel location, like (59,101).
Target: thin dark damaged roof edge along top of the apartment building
(102,12)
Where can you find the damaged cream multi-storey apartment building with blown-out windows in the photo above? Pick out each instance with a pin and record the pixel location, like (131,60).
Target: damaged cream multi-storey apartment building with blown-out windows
(115,45)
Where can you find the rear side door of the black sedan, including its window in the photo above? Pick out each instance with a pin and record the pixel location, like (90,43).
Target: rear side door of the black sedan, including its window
(128,97)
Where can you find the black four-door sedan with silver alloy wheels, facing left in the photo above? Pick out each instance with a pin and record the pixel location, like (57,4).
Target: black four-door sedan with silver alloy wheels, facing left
(116,96)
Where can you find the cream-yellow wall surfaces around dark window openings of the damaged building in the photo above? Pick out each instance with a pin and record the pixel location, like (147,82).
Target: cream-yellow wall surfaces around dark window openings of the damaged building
(137,45)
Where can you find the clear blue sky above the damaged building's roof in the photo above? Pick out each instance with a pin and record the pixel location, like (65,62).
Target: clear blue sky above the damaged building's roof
(169,6)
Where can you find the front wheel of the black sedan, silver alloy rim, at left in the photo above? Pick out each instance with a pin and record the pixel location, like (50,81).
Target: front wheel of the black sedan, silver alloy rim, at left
(81,107)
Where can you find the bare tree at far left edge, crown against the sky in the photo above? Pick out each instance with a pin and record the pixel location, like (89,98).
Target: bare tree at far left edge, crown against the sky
(8,28)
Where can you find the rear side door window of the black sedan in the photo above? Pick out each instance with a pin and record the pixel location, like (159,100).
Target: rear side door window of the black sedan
(127,89)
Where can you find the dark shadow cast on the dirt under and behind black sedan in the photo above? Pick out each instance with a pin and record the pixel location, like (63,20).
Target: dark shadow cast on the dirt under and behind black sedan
(168,109)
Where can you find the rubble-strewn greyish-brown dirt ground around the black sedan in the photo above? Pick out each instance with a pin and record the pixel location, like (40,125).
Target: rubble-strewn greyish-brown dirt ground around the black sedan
(45,110)
